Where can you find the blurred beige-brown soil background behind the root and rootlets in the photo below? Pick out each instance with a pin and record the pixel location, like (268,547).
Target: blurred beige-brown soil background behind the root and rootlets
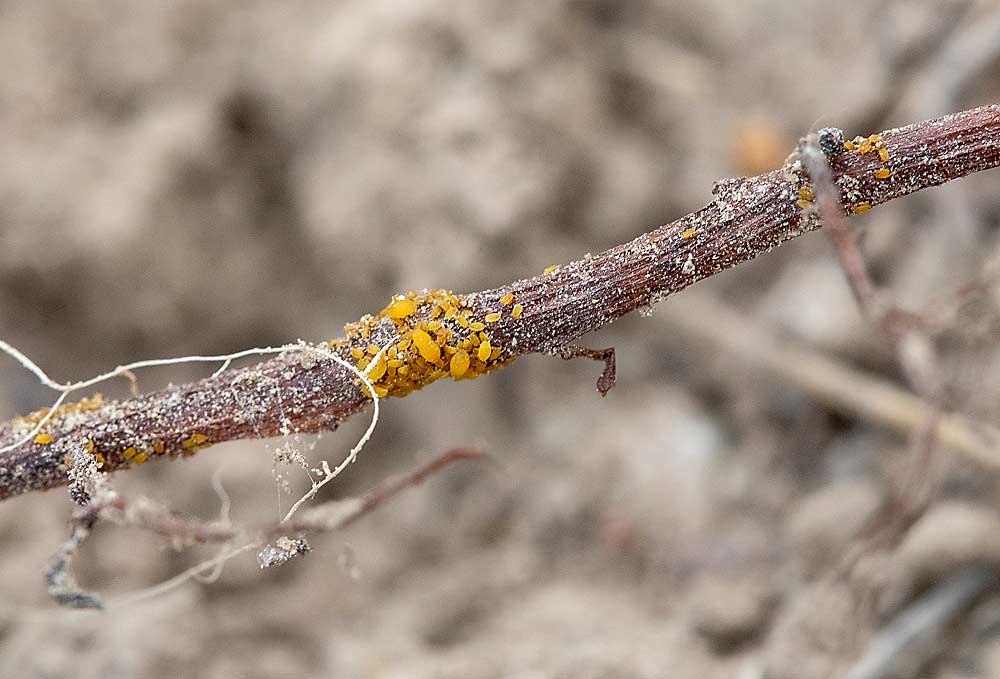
(202,177)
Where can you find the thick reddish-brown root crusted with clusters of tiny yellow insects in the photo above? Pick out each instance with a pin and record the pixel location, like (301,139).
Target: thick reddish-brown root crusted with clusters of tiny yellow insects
(300,392)
